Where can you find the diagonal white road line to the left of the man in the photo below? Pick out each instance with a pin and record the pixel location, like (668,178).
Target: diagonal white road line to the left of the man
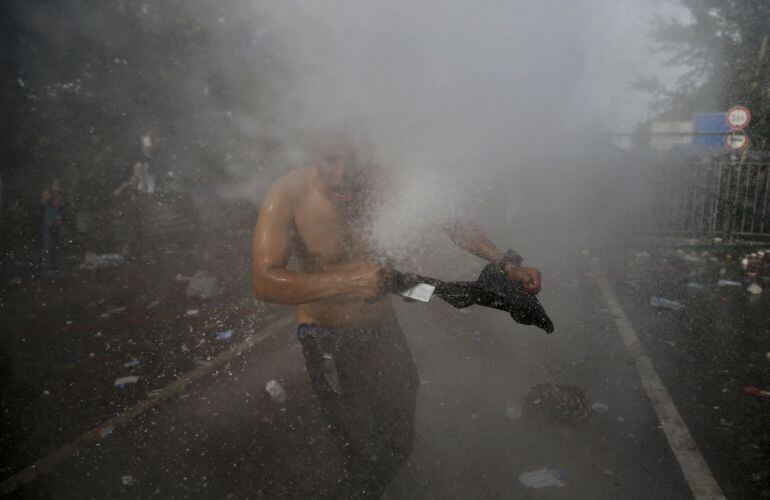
(49,462)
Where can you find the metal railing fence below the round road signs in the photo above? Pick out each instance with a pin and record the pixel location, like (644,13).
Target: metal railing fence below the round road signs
(710,197)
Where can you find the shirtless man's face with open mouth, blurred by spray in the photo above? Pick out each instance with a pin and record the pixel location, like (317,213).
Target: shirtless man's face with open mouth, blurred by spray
(341,172)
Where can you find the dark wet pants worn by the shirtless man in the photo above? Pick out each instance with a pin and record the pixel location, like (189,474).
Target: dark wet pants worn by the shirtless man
(367,383)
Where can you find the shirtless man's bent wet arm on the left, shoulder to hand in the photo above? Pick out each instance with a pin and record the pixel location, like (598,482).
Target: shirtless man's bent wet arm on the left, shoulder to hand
(271,279)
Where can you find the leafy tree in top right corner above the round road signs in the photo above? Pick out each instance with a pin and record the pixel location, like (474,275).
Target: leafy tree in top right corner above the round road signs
(725,47)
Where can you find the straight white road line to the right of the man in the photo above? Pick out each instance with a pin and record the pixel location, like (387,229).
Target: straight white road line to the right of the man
(694,467)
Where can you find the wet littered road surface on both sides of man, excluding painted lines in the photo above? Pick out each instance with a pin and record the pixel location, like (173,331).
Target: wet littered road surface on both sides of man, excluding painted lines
(479,427)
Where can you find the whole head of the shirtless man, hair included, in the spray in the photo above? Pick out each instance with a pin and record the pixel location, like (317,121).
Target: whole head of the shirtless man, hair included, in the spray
(340,167)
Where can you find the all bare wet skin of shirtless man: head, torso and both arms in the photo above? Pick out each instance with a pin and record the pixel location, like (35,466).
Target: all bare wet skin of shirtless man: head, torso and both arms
(316,215)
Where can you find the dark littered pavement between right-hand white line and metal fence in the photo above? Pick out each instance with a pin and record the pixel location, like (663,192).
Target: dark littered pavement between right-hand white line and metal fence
(707,354)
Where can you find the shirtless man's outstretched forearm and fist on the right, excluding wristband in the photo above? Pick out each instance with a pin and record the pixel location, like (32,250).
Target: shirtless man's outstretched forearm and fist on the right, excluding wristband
(473,240)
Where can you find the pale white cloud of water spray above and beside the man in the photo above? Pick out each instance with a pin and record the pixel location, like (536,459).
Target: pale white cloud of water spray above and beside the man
(469,104)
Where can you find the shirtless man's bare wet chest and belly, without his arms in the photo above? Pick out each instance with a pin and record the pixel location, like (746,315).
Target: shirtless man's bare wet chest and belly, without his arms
(329,236)
